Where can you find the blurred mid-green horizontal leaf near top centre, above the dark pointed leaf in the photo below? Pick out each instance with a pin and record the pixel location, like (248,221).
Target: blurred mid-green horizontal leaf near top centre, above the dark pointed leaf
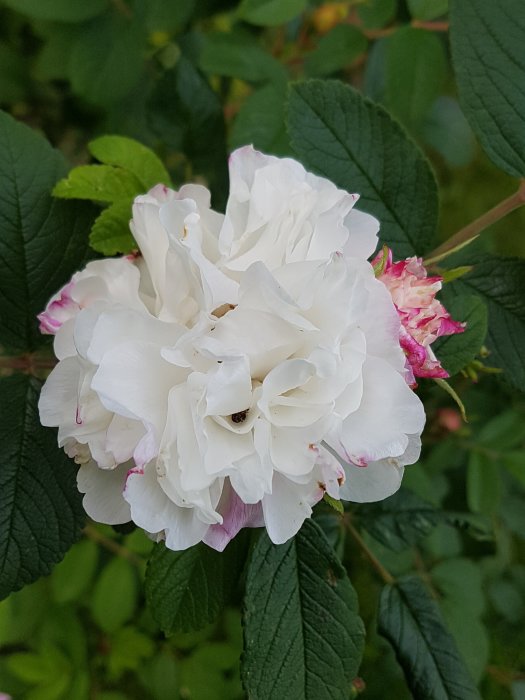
(237,56)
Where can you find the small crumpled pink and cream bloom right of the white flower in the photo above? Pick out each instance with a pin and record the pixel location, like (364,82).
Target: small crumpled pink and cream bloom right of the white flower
(423,317)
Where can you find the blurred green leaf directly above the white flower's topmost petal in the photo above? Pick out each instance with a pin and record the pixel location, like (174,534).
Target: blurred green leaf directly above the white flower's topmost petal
(260,121)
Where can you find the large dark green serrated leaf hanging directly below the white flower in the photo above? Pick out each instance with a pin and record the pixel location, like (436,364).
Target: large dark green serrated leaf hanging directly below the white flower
(303,638)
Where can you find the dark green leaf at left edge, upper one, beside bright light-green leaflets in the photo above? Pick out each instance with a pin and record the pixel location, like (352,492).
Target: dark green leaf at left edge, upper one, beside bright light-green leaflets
(42,239)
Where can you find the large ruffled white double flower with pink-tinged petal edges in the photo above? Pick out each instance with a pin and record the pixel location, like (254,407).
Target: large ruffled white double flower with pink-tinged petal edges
(238,367)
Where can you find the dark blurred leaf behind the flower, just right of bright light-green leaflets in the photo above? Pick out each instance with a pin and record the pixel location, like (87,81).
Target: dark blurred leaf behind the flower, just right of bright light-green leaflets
(186,113)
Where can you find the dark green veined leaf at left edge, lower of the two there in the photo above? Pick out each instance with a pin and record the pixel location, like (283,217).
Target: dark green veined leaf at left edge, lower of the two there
(40,507)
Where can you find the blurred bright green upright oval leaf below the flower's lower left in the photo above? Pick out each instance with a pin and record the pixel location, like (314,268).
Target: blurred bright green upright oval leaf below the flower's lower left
(114,597)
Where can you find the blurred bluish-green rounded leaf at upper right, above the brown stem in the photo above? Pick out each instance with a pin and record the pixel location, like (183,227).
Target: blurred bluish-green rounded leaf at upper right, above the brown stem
(446,129)
